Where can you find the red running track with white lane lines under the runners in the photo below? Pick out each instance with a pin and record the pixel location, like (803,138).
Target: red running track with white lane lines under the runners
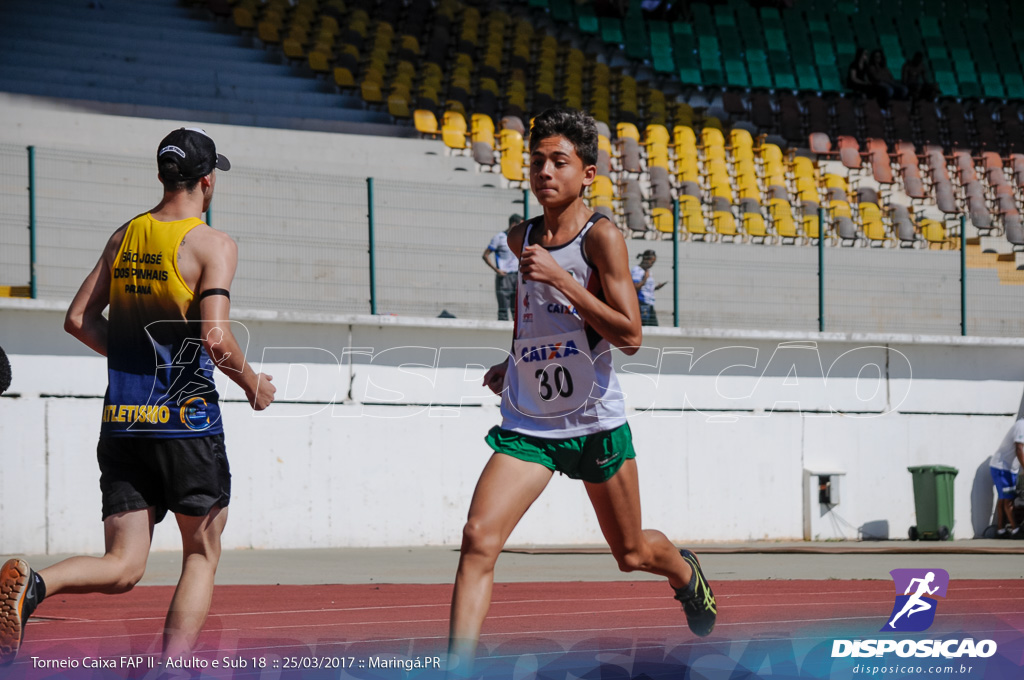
(550,630)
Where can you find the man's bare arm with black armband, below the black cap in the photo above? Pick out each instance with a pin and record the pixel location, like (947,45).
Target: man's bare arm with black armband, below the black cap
(219,257)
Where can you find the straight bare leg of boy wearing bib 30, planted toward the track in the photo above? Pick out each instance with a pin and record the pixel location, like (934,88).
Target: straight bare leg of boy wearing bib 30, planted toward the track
(506,490)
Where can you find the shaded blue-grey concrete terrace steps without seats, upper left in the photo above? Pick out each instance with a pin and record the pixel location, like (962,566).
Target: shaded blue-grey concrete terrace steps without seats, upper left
(158,55)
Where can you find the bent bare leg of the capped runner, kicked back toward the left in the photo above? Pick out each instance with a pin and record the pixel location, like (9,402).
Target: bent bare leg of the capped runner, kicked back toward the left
(127,538)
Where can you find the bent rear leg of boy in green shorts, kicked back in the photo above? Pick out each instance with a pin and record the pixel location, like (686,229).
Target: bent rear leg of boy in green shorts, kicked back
(617,503)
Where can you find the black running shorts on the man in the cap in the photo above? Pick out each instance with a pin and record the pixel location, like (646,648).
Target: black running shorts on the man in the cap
(188,477)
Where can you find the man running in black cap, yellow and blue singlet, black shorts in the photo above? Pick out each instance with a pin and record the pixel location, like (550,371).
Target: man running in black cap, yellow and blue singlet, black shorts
(166,278)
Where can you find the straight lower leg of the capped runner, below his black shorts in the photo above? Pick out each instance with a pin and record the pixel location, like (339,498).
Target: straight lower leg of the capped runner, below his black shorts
(191,605)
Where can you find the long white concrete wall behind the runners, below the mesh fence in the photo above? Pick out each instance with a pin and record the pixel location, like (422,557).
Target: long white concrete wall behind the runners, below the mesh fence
(724,426)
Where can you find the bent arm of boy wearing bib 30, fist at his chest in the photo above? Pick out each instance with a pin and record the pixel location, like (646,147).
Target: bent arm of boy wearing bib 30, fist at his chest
(617,319)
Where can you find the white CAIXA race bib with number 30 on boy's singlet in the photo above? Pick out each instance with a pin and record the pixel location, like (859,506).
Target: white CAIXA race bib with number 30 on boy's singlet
(556,374)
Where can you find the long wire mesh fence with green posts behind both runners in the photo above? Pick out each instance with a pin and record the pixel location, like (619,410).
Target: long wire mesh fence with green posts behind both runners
(335,244)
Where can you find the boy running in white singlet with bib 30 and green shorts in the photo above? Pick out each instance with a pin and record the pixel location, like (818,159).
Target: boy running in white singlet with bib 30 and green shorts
(562,405)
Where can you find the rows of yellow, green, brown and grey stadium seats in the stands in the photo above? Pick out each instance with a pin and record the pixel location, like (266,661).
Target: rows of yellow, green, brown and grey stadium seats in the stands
(771,138)
